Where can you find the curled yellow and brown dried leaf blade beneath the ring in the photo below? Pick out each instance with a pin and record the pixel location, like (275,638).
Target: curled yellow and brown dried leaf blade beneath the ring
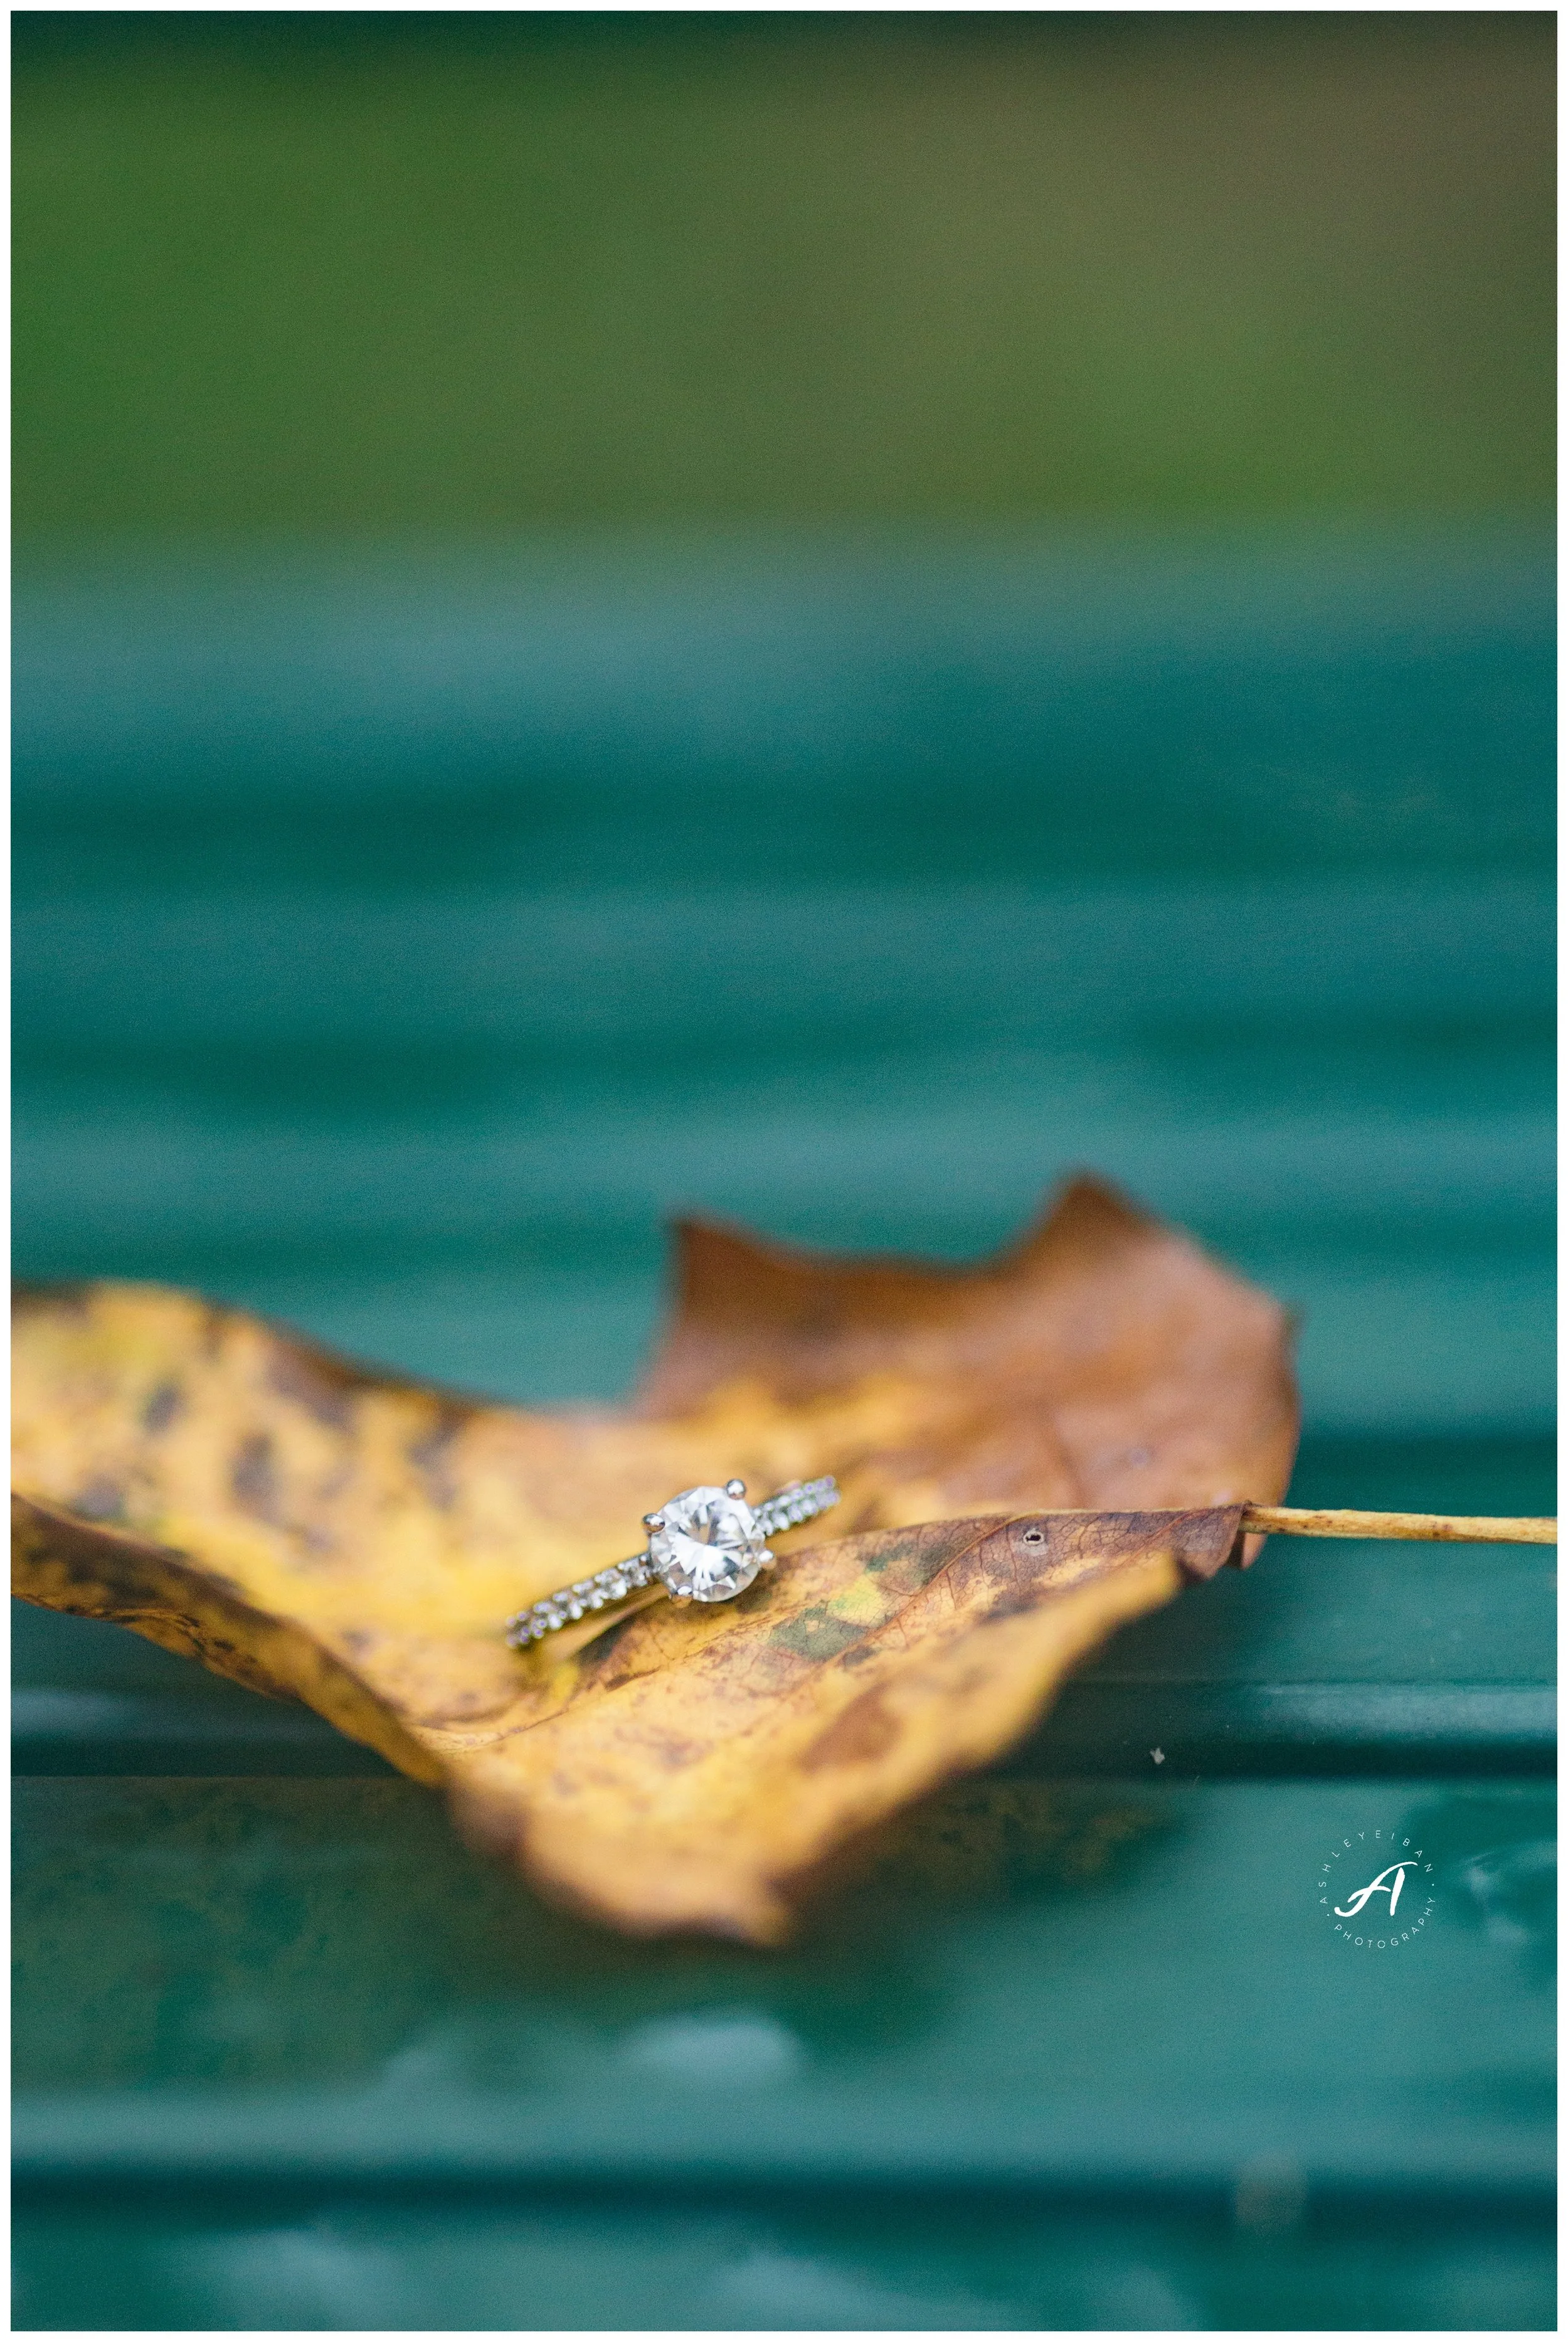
(359,1542)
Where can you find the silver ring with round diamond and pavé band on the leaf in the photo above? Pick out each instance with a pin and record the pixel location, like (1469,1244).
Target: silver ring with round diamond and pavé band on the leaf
(708,1545)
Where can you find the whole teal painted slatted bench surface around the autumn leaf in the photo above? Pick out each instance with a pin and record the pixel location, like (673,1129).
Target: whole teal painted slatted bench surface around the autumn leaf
(394,950)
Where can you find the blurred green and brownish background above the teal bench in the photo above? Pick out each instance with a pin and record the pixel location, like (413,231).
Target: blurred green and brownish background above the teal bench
(317,278)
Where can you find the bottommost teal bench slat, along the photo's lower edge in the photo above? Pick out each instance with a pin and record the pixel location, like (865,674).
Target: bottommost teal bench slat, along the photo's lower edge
(778,2266)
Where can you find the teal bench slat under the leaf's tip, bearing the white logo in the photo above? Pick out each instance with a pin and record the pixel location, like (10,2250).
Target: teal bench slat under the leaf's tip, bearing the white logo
(1045,1980)
